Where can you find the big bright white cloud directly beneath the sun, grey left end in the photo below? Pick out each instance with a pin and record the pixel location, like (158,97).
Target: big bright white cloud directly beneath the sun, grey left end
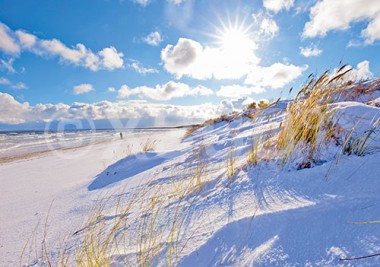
(190,58)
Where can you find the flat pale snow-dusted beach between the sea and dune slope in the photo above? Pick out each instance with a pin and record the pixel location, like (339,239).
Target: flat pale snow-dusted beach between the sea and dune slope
(52,187)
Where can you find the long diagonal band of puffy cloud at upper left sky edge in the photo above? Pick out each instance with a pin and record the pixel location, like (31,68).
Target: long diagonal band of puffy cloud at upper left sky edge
(108,58)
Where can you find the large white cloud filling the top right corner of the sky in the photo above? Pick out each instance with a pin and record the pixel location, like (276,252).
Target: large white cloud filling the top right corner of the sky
(328,15)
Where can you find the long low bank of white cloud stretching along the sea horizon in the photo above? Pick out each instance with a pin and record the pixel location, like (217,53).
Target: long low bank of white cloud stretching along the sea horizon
(141,112)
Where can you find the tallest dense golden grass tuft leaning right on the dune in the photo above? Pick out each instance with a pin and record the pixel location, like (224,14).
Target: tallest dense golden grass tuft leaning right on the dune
(309,113)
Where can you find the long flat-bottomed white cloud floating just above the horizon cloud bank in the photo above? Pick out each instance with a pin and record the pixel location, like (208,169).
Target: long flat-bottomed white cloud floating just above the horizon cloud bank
(164,92)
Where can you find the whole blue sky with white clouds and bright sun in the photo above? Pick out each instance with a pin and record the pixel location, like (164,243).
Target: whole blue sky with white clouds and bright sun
(125,63)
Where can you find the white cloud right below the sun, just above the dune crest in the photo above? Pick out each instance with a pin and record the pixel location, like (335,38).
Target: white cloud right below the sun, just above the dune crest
(275,76)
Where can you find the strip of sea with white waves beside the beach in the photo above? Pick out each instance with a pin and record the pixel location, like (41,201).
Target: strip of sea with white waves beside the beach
(16,143)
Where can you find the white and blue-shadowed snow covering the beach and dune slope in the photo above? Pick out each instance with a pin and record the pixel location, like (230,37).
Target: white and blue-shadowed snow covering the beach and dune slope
(265,215)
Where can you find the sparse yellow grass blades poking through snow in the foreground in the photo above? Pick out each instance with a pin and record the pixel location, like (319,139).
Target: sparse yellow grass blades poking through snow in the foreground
(157,233)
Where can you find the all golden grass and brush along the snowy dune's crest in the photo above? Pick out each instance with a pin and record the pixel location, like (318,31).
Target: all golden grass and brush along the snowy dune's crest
(309,123)
